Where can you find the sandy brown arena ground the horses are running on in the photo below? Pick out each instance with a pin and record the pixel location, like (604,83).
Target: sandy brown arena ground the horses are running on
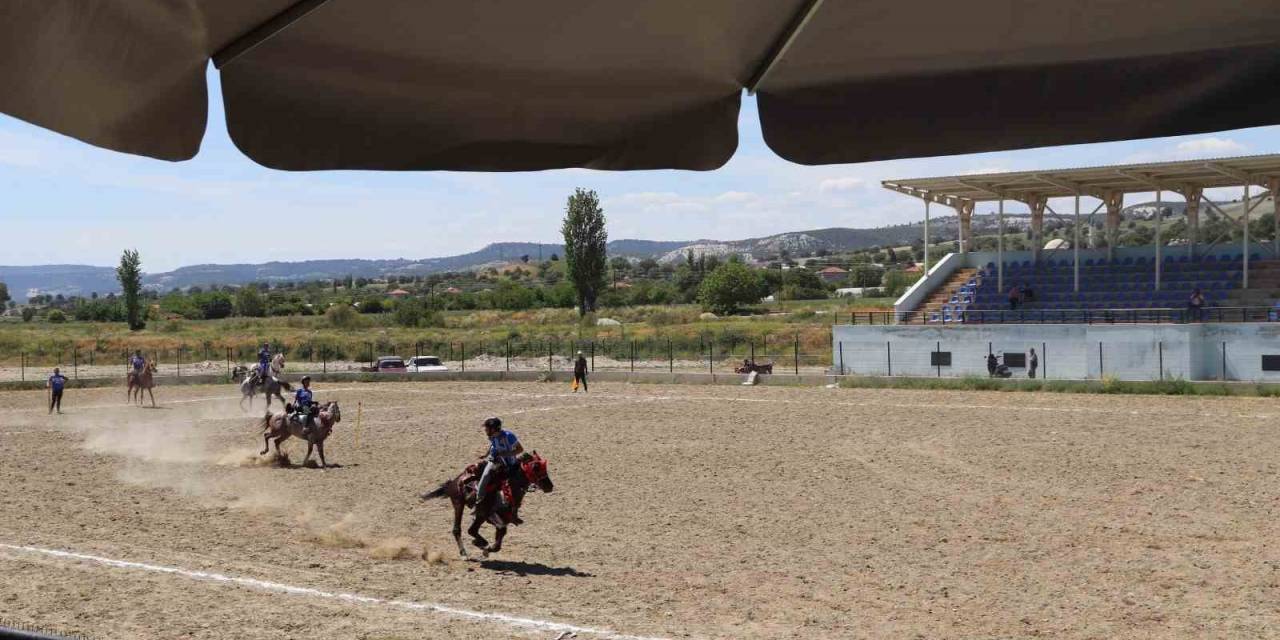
(679,513)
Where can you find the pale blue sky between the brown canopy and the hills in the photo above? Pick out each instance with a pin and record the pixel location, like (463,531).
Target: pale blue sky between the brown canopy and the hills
(67,203)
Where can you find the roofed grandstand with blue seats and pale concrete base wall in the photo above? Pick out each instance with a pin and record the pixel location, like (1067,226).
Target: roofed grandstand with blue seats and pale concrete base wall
(1133,301)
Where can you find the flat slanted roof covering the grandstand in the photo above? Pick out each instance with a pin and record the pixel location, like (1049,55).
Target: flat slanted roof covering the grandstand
(1096,181)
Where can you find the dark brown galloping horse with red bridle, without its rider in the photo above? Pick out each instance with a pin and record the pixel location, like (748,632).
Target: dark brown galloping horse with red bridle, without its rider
(497,510)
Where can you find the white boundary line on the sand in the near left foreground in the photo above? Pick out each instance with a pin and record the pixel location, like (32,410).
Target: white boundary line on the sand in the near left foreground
(263,586)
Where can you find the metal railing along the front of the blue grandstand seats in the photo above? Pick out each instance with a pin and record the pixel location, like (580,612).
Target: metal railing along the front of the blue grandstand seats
(1158,316)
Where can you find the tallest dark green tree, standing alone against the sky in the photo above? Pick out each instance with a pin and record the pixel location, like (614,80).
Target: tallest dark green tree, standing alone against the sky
(586,243)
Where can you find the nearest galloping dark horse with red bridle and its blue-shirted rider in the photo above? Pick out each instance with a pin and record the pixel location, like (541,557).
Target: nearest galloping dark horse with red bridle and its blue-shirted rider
(495,487)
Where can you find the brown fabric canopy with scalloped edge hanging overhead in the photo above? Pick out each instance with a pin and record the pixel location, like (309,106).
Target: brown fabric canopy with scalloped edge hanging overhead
(483,85)
